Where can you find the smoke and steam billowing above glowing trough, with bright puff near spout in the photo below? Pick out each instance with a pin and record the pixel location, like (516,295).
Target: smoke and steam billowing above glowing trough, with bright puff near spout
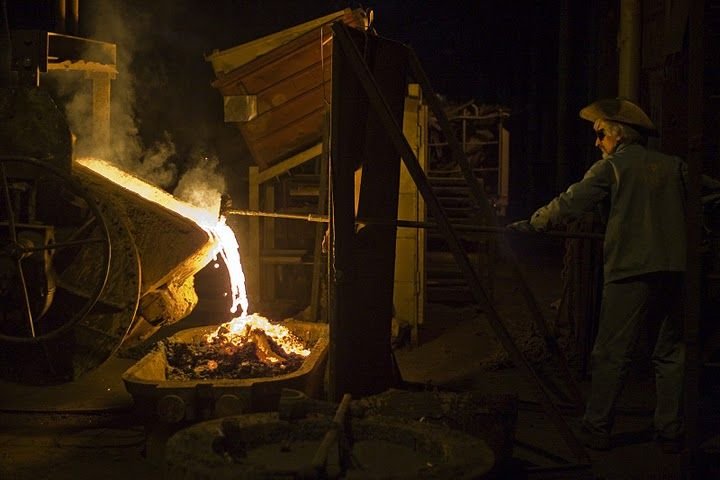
(130,29)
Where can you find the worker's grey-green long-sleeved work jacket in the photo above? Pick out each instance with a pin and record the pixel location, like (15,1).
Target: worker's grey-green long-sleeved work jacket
(646,222)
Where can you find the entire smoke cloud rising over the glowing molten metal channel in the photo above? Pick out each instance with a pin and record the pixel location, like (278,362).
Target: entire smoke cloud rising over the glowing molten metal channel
(141,146)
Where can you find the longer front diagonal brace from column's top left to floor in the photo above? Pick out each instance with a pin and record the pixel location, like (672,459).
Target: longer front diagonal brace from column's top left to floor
(379,104)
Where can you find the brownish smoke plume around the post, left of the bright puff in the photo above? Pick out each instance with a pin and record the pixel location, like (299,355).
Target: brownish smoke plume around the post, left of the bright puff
(129,27)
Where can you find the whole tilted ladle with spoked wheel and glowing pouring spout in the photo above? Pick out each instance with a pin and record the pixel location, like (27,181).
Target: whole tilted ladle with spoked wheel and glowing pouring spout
(84,259)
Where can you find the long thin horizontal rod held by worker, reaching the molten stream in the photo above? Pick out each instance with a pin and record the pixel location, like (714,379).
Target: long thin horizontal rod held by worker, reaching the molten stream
(311,217)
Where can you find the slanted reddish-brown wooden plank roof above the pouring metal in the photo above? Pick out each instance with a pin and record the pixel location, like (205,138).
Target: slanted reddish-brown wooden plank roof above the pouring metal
(288,74)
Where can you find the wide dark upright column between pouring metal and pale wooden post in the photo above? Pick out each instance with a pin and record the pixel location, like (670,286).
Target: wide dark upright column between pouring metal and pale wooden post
(364,259)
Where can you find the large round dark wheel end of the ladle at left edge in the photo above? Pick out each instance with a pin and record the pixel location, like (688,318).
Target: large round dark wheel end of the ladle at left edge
(55,258)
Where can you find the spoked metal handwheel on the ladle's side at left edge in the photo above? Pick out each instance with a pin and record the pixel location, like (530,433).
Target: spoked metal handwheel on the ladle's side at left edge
(48,220)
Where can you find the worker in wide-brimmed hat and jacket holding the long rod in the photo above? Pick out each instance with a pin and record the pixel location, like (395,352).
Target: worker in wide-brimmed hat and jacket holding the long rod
(644,260)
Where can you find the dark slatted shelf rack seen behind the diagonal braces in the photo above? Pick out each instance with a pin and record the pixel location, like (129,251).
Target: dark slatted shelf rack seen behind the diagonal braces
(485,141)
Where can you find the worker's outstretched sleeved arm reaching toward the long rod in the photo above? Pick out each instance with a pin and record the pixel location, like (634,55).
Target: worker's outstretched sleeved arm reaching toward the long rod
(580,197)
